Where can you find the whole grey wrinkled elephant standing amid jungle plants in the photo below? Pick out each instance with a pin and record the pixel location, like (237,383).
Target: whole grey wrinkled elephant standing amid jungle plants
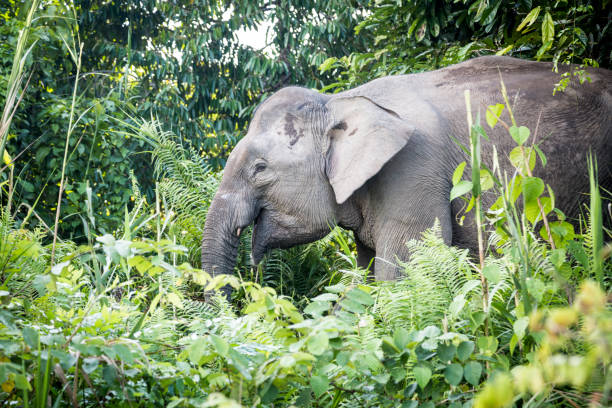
(379,159)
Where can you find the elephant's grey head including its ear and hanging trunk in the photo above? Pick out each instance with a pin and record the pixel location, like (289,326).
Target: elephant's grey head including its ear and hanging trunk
(304,155)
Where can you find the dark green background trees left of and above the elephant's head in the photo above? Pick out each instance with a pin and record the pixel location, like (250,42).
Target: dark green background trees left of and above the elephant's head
(194,74)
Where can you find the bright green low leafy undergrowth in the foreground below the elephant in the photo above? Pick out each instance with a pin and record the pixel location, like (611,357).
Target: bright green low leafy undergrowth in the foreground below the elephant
(139,335)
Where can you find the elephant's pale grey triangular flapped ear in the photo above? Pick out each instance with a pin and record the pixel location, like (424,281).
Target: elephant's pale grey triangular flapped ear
(362,136)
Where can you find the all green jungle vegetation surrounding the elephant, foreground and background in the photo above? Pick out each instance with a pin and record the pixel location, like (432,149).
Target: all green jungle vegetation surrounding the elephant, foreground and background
(102,302)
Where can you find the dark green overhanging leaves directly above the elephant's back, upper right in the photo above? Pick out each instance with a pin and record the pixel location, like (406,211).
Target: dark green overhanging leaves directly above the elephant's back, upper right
(418,35)
